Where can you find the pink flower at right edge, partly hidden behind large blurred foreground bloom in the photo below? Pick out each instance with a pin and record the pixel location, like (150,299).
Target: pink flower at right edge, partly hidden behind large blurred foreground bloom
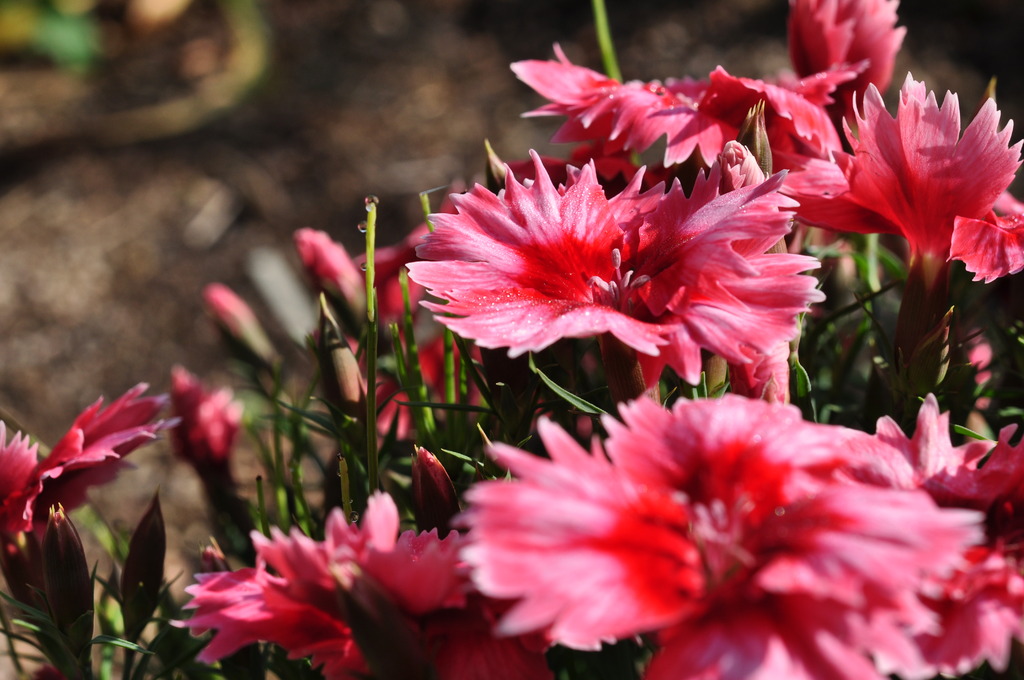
(980,606)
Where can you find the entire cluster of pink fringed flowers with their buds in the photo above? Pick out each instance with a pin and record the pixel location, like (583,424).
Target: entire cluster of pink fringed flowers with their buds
(733,535)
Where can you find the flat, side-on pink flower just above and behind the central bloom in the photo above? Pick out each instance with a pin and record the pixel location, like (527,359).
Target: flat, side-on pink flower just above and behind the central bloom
(696,116)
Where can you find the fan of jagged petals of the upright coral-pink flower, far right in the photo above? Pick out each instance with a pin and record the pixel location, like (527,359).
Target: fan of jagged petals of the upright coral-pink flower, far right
(915,176)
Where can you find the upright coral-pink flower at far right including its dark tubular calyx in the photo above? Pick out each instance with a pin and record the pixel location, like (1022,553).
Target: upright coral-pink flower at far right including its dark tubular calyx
(916,176)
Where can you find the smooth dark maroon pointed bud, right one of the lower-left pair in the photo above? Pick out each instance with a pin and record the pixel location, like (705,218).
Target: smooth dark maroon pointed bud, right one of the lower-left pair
(144,572)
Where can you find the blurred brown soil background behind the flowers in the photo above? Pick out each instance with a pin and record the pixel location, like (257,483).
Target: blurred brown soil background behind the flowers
(149,148)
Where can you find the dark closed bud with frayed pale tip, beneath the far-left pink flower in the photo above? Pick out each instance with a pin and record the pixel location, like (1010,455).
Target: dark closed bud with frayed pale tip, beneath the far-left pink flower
(67,579)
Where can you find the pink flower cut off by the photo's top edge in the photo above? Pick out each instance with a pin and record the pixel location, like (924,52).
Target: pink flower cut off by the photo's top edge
(860,34)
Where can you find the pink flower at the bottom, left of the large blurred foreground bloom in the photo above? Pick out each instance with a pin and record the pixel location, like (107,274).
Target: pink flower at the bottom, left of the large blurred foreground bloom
(293,600)
